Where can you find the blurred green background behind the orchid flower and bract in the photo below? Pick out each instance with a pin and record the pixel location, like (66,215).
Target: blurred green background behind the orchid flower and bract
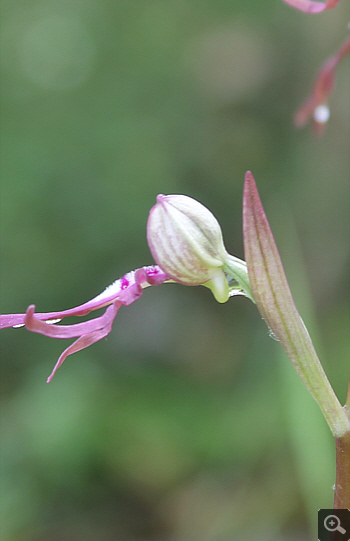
(187,423)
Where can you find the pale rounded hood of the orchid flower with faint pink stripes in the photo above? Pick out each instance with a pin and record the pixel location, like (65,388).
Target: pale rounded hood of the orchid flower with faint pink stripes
(186,242)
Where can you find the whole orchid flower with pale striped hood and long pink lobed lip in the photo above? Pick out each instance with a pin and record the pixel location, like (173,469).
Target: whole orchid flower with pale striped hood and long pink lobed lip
(186,242)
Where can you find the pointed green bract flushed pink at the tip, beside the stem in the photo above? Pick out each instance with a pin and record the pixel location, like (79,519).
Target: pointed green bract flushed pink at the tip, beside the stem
(275,303)
